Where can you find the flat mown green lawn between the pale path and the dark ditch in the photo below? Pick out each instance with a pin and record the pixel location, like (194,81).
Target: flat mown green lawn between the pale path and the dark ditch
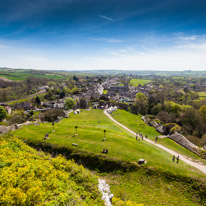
(120,144)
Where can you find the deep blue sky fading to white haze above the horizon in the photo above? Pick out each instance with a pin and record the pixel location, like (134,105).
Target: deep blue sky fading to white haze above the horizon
(106,34)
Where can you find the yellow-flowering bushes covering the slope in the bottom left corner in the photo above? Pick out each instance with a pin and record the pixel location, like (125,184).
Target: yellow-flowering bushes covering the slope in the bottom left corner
(28,177)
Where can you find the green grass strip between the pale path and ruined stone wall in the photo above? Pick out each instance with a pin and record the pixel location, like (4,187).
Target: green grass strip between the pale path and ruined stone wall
(136,124)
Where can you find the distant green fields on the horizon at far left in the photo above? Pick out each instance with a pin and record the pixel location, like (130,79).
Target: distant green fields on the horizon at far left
(21,75)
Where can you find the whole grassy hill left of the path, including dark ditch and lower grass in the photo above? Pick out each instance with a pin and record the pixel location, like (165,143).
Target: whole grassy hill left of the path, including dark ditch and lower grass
(160,181)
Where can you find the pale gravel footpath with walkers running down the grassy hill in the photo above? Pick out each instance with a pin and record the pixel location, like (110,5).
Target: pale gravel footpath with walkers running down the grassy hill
(183,158)
